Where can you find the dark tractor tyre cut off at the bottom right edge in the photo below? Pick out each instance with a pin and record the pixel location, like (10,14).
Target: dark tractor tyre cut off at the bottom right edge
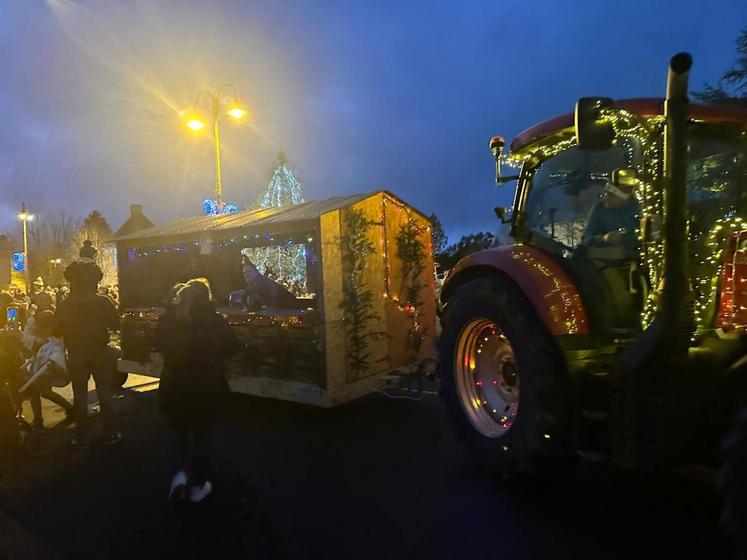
(732,483)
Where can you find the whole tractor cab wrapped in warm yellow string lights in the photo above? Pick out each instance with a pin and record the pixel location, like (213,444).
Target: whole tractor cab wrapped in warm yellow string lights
(598,211)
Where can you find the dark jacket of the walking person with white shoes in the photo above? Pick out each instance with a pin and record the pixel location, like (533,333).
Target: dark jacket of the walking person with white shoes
(195,352)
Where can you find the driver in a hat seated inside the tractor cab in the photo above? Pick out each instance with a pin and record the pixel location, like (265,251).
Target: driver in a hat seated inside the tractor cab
(613,220)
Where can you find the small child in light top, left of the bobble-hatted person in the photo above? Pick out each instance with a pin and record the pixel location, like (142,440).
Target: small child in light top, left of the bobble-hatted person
(48,357)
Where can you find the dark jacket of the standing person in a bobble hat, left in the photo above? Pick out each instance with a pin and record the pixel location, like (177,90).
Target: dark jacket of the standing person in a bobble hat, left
(84,321)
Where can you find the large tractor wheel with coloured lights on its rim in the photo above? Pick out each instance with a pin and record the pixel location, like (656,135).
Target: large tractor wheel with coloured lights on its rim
(503,379)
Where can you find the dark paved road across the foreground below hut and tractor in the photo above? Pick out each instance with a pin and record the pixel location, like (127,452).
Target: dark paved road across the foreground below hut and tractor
(376,478)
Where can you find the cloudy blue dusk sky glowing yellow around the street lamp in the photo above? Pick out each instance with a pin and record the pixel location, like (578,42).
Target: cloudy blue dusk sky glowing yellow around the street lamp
(362,95)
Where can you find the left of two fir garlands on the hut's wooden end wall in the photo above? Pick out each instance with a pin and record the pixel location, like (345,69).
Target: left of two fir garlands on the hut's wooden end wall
(357,299)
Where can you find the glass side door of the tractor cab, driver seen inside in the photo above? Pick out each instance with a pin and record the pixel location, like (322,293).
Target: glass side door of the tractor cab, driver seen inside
(575,208)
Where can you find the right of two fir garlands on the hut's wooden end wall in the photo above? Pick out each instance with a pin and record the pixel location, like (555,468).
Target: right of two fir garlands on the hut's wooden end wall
(411,252)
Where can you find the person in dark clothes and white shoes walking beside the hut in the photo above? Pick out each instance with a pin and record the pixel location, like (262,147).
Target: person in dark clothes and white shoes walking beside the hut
(195,341)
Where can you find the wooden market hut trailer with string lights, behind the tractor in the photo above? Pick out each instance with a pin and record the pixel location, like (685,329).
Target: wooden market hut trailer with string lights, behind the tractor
(361,267)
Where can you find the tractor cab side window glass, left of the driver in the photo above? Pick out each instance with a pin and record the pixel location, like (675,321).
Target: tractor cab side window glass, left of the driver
(568,185)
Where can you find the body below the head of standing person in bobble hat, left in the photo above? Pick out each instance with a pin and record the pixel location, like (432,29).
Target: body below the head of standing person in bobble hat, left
(84,321)
